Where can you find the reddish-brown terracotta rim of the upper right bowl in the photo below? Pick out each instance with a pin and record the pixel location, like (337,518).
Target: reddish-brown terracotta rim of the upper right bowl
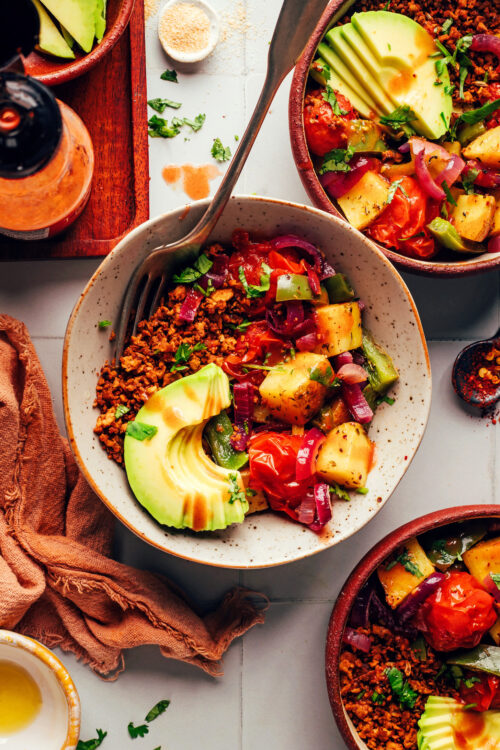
(446,263)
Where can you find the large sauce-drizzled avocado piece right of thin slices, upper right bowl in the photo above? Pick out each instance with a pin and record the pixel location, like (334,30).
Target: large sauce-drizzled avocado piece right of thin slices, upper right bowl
(393,41)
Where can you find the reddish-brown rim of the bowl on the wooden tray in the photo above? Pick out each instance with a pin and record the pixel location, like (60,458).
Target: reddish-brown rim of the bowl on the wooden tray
(75,68)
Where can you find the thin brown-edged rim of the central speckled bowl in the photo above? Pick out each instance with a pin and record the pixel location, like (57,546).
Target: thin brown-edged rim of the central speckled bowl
(94,278)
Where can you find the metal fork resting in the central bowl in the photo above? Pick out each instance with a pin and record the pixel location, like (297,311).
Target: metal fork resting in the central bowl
(295,24)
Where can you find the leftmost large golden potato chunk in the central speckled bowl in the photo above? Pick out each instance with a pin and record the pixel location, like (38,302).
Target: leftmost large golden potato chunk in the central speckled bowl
(288,391)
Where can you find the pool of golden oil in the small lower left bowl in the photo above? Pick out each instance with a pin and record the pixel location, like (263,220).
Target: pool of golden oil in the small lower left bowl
(20,698)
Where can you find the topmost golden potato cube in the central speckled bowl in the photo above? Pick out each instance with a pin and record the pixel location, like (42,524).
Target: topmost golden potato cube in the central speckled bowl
(339,328)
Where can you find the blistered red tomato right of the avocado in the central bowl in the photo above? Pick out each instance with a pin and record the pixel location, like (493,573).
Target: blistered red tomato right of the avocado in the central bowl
(273,457)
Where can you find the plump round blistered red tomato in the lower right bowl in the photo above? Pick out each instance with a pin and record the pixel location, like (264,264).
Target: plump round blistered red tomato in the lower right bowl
(458,614)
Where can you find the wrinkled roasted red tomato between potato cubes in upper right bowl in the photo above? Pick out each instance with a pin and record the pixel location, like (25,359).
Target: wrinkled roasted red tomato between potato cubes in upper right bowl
(402,225)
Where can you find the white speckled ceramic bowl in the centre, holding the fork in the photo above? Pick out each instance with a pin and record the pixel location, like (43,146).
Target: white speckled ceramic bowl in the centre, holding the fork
(264,539)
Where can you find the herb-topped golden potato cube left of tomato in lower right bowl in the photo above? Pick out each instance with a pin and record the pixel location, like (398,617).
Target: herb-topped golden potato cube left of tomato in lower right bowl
(396,575)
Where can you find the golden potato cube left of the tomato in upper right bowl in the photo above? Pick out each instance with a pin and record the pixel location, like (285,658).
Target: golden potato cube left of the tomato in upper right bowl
(365,201)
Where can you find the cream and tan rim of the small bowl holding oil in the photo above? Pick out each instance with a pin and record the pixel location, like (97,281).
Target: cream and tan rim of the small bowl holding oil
(45,655)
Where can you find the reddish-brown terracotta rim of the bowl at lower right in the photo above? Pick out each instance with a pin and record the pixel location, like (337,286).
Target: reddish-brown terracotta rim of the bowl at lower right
(355,583)
